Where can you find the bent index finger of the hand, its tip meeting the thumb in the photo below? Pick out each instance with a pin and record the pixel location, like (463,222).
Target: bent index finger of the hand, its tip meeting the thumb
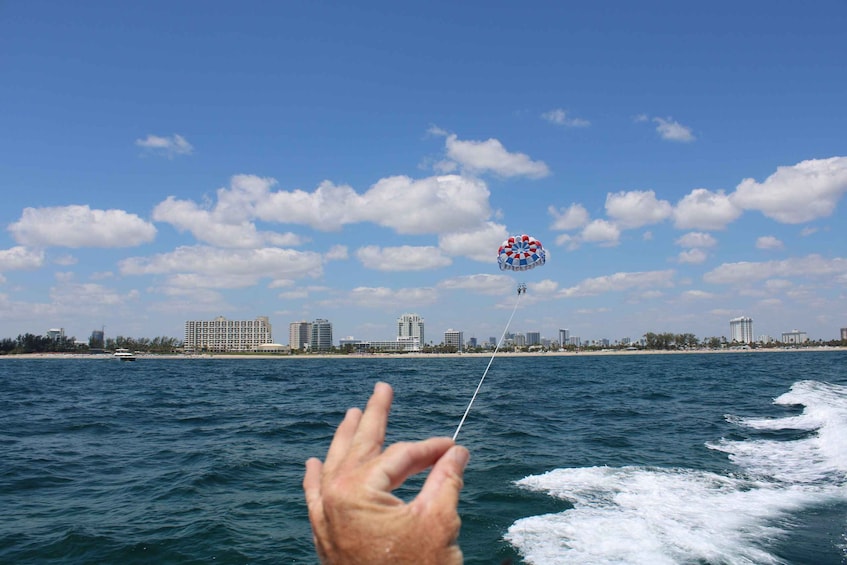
(402,460)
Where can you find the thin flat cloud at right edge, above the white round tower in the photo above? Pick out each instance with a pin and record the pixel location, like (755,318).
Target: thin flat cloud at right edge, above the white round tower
(745,272)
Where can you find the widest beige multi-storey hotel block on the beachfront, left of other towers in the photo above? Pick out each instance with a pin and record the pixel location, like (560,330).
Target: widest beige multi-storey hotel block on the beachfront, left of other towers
(220,335)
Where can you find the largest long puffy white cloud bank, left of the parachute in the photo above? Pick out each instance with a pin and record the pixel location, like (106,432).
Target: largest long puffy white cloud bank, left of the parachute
(439,204)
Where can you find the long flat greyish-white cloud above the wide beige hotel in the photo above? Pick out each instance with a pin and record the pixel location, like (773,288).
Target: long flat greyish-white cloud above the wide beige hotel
(243,267)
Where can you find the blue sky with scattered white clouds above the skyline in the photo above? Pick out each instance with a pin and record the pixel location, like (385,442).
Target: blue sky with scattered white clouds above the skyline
(682,163)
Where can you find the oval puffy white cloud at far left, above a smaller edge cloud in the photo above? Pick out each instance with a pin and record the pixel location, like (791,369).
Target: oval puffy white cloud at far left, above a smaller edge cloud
(80,226)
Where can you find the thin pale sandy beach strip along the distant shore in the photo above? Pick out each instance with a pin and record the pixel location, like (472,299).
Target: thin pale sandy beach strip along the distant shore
(502,354)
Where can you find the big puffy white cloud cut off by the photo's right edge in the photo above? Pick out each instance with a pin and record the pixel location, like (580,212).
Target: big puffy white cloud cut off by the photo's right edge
(800,193)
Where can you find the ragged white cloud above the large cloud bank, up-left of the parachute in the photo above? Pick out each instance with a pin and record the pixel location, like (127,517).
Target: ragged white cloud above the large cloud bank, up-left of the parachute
(490,156)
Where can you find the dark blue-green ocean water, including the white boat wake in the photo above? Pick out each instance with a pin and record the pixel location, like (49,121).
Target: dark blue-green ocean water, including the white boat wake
(703,458)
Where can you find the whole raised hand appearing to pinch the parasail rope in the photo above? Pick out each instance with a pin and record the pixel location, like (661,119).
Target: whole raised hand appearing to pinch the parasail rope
(355,518)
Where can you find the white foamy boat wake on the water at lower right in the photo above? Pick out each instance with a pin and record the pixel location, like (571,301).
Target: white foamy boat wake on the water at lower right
(654,516)
